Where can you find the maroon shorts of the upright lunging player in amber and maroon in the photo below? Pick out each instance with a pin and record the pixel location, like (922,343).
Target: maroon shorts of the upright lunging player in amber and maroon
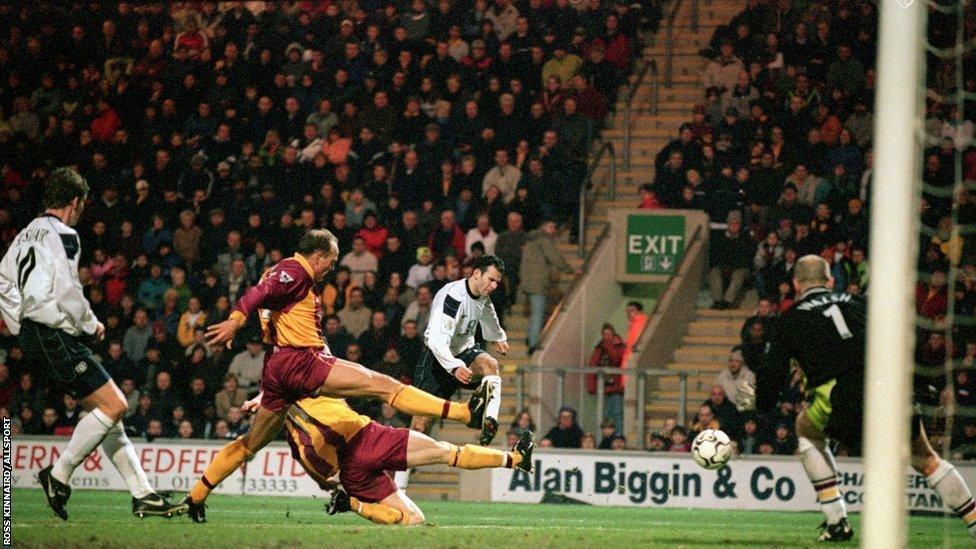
(291,374)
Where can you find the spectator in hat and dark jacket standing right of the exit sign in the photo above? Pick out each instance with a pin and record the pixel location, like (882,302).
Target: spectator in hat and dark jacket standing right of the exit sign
(730,253)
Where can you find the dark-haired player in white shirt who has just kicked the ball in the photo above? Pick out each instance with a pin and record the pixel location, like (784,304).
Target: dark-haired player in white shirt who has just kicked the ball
(452,359)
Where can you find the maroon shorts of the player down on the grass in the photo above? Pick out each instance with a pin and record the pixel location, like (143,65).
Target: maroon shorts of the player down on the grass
(374,450)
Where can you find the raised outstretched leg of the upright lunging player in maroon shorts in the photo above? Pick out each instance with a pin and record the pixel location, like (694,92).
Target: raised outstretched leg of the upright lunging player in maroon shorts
(348,379)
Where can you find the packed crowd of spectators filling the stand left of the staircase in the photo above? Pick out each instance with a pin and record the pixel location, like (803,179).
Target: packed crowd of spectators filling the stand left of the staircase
(422,134)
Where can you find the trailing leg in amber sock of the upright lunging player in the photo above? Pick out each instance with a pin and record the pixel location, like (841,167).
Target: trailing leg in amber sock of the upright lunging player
(265,426)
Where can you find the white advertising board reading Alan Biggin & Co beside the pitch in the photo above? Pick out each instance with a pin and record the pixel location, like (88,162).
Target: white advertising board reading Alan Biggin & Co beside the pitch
(767,483)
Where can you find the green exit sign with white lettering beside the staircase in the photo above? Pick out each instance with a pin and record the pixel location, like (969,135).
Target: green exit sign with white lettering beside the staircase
(655,243)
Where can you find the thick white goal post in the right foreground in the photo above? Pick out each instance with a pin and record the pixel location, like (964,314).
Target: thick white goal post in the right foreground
(891,308)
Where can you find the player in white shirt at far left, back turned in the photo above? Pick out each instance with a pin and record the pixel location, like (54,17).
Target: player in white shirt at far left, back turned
(42,303)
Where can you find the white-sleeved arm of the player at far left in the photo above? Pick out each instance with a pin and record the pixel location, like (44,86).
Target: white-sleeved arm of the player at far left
(67,286)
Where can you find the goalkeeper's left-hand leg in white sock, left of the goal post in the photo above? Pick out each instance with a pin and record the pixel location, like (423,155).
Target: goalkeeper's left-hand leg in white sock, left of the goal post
(818,462)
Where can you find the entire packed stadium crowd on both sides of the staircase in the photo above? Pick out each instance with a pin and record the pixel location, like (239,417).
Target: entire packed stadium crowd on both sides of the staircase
(425,134)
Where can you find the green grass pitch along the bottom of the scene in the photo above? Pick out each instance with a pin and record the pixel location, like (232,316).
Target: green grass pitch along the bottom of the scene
(103,519)
